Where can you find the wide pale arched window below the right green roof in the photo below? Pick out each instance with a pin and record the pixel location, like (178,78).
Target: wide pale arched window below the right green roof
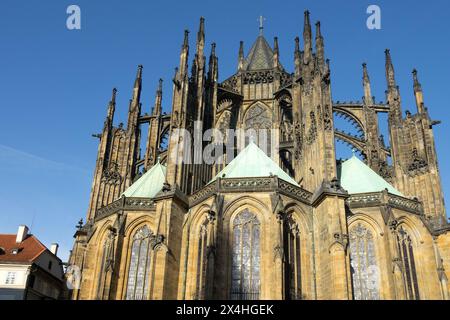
(364,268)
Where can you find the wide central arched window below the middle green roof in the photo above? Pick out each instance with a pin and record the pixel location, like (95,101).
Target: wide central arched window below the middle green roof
(245,271)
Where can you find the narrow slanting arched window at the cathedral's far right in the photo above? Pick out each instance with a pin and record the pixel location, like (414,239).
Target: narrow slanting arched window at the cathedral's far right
(406,251)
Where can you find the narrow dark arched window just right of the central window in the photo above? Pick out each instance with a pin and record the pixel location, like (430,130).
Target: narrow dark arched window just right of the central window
(293,267)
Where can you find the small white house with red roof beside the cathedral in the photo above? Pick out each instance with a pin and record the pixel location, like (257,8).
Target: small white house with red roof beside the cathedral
(28,270)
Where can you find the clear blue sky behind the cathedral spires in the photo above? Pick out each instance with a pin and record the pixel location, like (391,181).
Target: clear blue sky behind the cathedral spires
(55,83)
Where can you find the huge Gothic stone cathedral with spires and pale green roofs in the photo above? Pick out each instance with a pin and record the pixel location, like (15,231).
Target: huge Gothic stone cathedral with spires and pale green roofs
(292,224)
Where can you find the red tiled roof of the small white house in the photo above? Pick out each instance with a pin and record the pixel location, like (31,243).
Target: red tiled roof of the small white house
(29,249)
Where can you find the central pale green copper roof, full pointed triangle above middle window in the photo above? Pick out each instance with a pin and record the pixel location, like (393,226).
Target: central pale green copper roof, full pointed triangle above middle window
(253,162)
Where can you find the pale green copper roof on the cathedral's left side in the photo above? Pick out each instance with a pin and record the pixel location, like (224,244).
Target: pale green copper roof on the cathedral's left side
(149,184)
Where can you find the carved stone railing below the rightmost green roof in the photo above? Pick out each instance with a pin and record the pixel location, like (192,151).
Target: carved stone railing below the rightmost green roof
(384,198)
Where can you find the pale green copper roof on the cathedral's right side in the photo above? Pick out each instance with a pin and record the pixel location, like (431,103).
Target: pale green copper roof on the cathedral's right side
(356,177)
